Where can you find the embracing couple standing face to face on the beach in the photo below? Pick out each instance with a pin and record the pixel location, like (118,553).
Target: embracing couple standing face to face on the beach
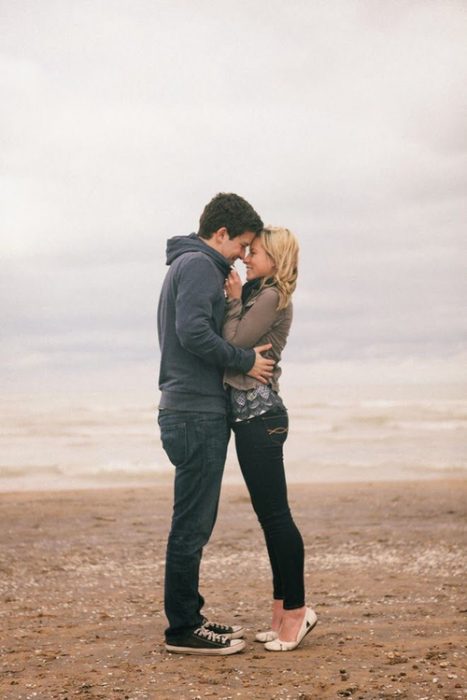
(220,349)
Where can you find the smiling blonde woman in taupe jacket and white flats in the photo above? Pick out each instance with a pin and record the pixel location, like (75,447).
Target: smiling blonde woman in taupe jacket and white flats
(261,313)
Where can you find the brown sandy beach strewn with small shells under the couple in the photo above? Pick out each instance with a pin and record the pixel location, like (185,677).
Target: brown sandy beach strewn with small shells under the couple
(81,577)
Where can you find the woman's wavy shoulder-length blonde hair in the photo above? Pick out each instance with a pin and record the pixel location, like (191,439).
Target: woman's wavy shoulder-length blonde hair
(282,247)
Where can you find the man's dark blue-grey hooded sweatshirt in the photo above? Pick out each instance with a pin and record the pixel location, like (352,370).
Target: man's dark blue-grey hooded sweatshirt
(190,317)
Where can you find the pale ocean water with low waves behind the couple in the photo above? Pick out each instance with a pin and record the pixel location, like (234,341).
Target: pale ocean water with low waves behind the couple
(336,434)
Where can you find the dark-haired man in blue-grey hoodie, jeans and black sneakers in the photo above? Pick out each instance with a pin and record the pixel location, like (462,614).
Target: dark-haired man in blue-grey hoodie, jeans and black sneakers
(193,407)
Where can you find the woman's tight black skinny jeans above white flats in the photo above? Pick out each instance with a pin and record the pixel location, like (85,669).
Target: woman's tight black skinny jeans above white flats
(259,442)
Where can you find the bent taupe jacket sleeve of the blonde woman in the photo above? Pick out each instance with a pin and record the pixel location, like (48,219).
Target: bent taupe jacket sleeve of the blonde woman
(246,329)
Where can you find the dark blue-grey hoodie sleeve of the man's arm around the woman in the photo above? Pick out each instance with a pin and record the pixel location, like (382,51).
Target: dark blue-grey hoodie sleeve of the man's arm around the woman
(197,289)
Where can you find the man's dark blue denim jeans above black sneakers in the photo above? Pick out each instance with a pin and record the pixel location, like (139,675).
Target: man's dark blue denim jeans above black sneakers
(196,444)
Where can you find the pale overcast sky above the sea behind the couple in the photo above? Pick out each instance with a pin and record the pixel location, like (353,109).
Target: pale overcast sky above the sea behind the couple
(343,120)
